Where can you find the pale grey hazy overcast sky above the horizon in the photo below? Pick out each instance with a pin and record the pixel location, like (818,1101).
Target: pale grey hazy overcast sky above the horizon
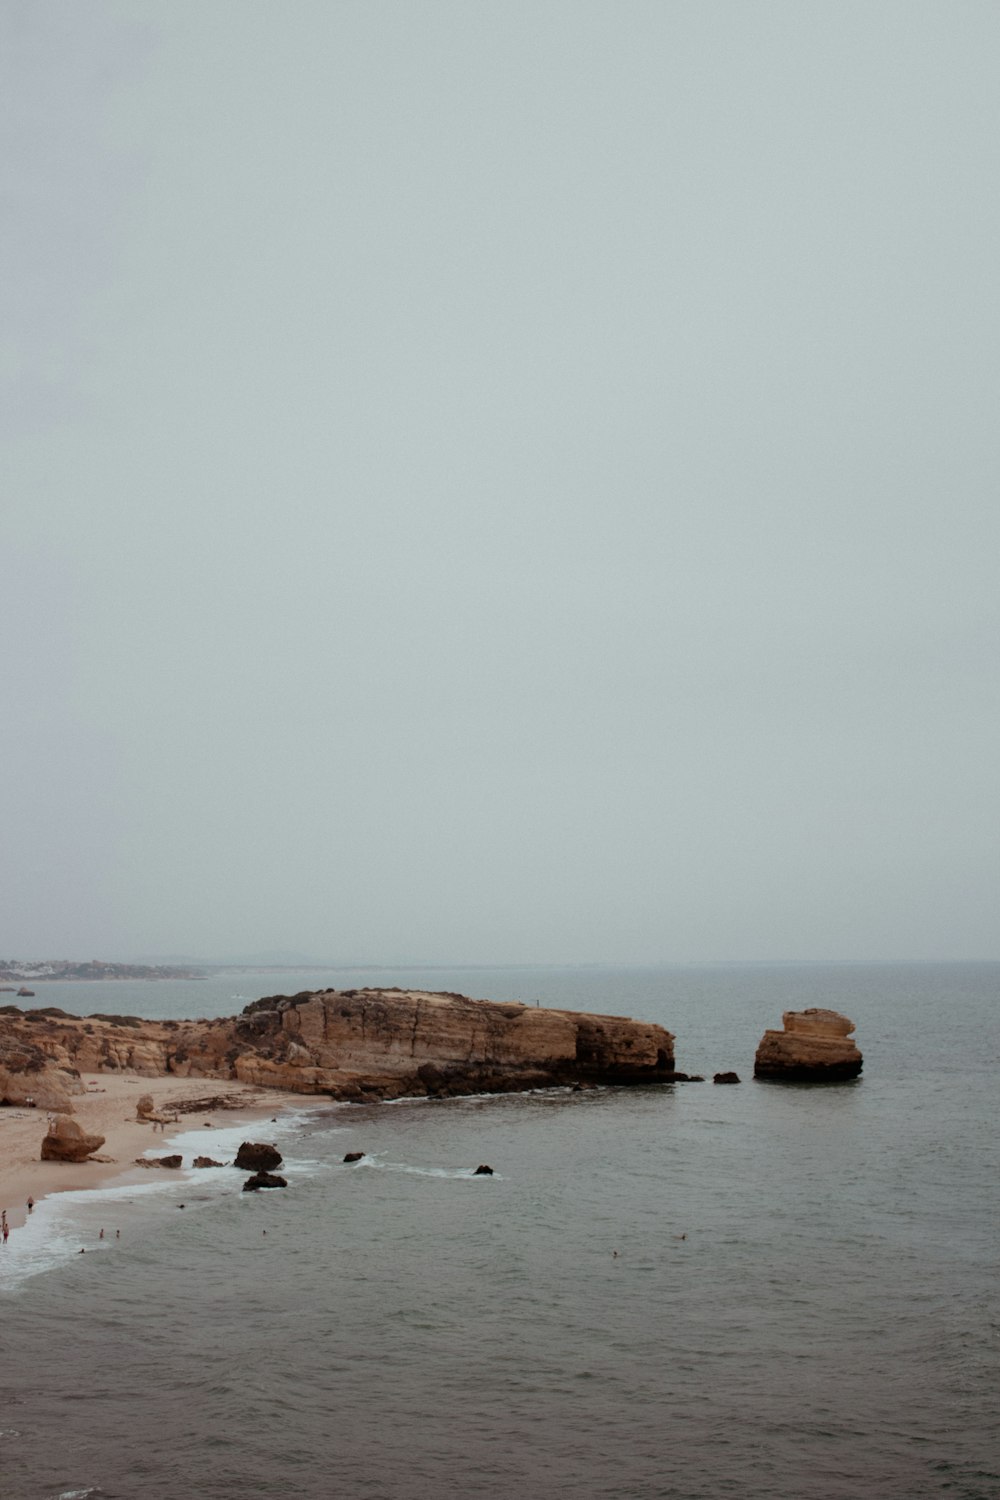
(500,482)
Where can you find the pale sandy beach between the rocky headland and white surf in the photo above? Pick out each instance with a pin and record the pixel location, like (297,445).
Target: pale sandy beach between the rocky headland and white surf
(109,1108)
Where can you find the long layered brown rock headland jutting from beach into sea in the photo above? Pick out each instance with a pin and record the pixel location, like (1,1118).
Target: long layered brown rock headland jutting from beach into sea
(353,1045)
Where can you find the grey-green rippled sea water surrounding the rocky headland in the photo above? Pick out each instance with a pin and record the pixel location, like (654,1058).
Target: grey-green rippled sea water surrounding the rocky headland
(683,1292)
